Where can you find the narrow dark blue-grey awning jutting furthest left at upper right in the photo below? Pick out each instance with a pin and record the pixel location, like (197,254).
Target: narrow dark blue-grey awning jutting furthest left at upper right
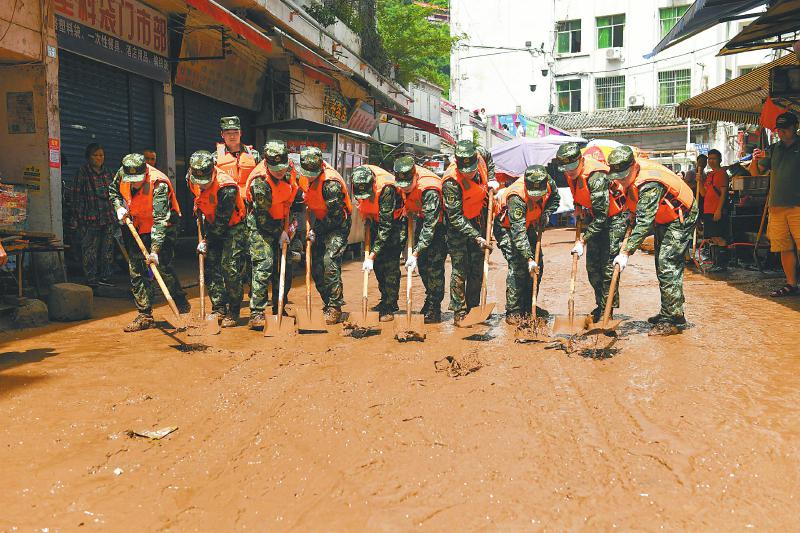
(703,15)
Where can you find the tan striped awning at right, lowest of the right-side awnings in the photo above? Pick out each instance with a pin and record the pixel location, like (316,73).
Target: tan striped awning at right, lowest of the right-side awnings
(738,100)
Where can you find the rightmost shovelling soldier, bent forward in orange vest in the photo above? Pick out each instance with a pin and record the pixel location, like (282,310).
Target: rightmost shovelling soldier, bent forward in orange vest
(665,205)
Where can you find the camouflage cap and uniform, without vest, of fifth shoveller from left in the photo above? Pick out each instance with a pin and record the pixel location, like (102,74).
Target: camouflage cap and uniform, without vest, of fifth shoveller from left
(388,235)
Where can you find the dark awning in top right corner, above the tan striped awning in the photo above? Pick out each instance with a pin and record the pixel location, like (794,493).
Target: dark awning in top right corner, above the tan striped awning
(781,19)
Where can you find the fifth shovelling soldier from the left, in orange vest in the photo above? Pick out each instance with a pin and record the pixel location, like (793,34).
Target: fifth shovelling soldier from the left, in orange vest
(387,230)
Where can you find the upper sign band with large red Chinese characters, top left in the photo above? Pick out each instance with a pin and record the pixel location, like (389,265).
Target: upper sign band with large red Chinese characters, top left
(128,20)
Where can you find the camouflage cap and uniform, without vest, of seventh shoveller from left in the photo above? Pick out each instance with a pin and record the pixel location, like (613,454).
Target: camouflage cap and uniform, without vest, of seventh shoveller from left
(466,253)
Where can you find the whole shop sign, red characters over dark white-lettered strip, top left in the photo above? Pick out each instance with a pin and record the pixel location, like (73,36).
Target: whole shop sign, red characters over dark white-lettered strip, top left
(123,33)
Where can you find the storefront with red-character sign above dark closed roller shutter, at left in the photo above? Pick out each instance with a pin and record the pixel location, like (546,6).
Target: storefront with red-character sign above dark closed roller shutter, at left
(112,66)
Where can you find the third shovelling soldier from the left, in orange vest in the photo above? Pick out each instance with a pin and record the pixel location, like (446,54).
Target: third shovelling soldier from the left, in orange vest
(271,190)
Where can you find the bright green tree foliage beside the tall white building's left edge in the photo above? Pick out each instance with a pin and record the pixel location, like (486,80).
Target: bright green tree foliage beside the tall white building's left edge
(416,47)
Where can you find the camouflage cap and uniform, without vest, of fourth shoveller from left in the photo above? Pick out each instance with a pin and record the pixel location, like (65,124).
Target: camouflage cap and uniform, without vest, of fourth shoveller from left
(330,236)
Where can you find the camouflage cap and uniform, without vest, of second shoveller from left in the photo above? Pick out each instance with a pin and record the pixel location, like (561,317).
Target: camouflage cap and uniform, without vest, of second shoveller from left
(224,263)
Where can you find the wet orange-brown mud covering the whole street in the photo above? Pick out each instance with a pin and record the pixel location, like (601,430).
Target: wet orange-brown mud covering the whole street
(698,431)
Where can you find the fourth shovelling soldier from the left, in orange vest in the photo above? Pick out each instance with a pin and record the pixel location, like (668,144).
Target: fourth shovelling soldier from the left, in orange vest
(326,197)
